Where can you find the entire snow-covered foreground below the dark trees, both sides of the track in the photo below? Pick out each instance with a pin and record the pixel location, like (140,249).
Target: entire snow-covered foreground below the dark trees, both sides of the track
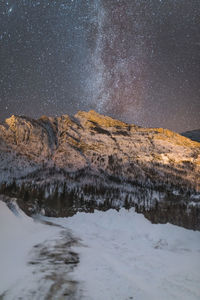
(122,256)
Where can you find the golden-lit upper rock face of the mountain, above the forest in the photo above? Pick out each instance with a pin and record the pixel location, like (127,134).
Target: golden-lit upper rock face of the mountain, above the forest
(90,139)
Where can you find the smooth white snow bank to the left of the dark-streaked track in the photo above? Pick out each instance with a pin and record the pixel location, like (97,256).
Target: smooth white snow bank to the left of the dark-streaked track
(18,234)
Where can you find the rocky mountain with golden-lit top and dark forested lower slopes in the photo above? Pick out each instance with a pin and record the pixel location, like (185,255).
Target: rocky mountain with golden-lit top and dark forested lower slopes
(60,165)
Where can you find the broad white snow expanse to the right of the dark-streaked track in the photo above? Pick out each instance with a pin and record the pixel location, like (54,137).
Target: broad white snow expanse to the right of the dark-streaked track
(124,256)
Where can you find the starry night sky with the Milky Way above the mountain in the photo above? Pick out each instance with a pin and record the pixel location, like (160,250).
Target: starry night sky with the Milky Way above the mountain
(135,60)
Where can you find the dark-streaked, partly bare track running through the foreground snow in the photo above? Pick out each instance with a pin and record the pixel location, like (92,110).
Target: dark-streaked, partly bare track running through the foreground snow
(50,266)
